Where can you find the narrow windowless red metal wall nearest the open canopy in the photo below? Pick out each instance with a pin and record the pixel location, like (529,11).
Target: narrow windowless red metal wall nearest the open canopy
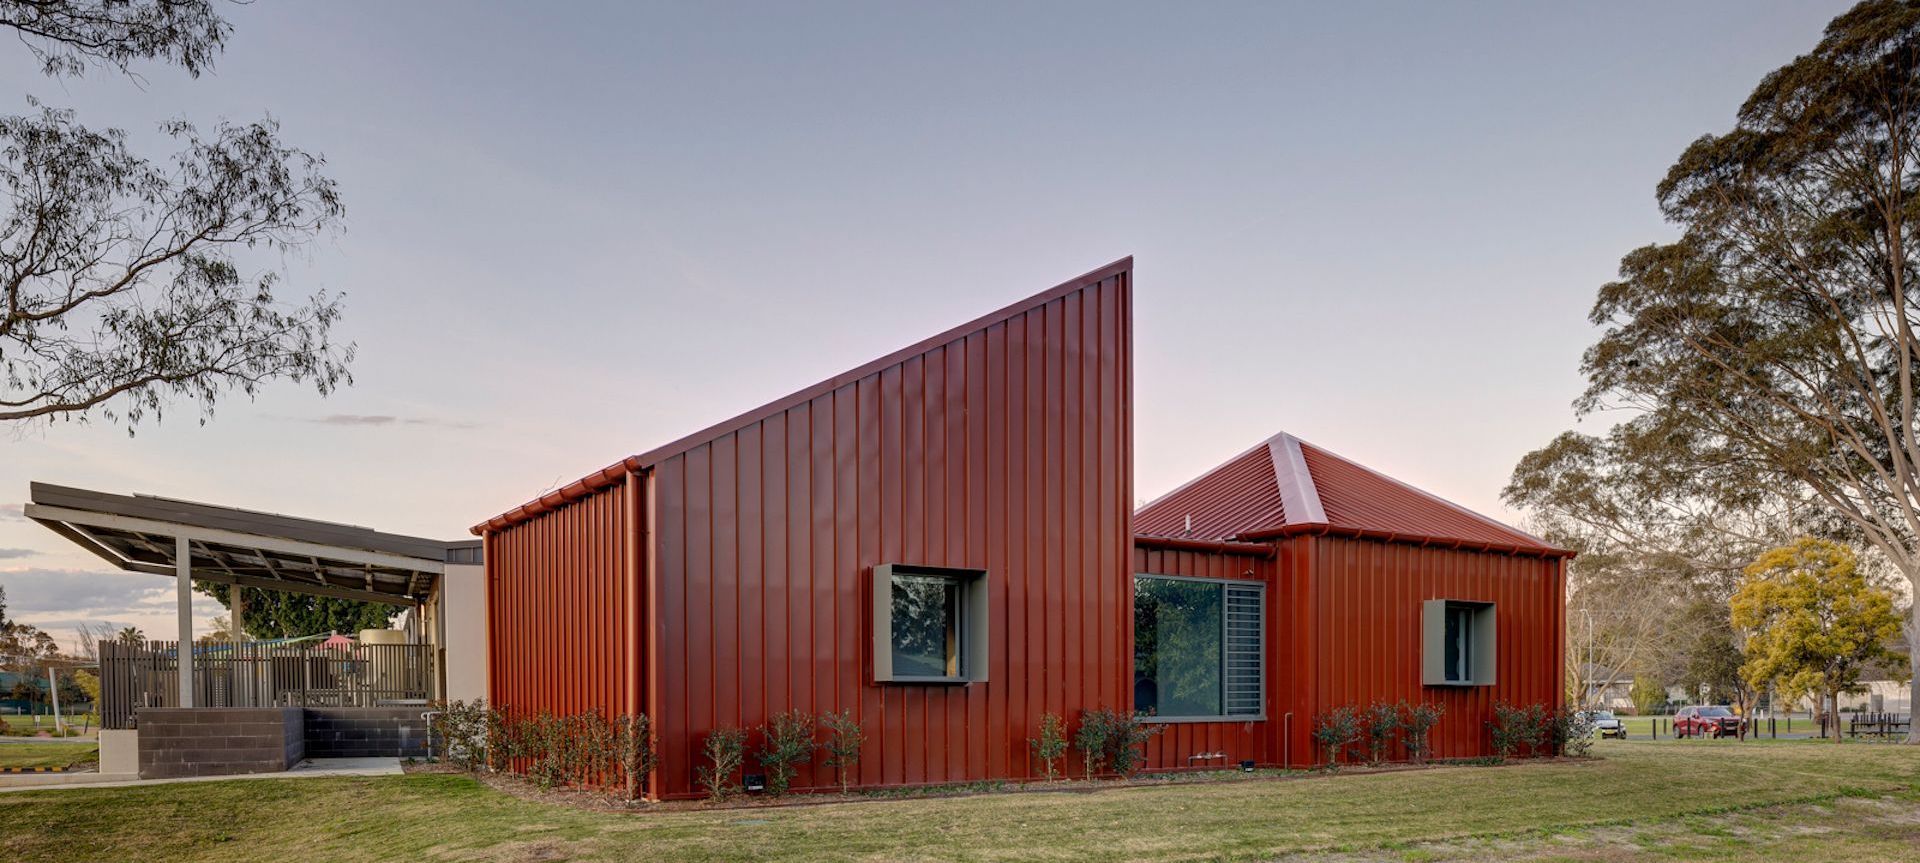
(560,616)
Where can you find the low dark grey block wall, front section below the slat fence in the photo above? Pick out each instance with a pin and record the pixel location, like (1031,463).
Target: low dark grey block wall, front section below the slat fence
(220,741)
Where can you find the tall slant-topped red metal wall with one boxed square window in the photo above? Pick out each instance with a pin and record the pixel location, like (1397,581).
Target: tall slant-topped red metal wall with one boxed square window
(1005,449)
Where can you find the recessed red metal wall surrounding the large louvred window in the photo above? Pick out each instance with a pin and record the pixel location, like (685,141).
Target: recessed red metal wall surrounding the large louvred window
(1178,745)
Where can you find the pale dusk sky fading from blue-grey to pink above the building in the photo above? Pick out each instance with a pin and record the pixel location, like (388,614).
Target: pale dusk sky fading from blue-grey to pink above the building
(577,235)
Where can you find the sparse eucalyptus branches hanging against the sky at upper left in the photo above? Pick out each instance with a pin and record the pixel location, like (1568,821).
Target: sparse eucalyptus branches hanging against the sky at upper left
(126,282)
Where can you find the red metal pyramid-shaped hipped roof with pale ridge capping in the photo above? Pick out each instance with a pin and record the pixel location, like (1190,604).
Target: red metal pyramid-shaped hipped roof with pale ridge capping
(1287,485)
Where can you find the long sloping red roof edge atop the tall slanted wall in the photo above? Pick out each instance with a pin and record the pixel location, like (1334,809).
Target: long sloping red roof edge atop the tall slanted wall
(646,460)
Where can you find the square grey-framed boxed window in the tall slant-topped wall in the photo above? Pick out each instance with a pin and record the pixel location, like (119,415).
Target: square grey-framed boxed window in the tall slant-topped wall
(930,624)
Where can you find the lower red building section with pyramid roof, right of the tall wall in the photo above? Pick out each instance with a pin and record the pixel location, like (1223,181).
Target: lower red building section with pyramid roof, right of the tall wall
(1376,593)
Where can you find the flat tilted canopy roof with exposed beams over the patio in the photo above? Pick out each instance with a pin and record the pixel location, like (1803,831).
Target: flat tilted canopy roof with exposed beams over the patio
(251,549)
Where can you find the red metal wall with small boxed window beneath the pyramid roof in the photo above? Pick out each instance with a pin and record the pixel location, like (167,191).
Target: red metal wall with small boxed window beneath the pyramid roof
(1355,631)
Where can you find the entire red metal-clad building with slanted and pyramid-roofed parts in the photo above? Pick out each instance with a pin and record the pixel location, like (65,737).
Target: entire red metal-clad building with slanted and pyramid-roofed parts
(942,543)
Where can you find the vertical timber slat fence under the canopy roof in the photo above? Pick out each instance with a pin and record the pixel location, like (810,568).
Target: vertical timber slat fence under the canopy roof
(262,676)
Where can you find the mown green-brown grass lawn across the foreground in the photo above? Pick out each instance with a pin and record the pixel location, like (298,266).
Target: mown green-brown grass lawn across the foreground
(1696,801)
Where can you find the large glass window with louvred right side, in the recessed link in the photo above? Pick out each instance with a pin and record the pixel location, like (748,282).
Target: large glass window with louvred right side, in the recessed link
(1197,649)
